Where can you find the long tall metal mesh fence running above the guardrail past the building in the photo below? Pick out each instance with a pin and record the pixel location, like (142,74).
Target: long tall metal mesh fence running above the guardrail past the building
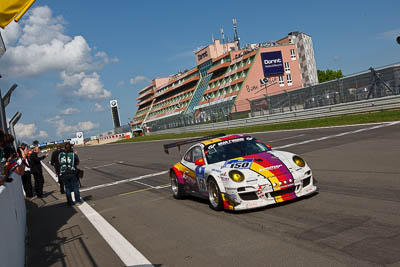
(369,84)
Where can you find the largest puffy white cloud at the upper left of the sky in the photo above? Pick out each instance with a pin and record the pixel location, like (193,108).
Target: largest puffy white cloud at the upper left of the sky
(40,45)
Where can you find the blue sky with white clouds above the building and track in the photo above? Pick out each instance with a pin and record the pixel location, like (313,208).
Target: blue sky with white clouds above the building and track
(70,58)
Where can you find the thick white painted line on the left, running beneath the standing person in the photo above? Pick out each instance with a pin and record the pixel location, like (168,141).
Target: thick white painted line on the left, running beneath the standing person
(128,254)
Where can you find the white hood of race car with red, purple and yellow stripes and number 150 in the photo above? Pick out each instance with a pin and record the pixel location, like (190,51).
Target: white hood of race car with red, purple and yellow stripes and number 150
(267,165)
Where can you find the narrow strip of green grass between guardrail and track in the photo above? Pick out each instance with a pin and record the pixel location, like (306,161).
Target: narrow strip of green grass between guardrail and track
(380,116)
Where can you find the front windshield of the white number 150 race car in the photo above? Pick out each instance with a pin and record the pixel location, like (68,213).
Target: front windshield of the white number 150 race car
(233,148)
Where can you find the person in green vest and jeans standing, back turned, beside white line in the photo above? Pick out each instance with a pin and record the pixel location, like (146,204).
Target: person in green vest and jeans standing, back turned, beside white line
(68,169)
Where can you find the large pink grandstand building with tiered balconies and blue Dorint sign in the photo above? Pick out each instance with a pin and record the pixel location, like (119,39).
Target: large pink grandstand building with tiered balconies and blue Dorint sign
(225,80)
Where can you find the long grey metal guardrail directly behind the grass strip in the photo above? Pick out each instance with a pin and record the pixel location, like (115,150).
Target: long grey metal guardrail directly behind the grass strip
(376,104)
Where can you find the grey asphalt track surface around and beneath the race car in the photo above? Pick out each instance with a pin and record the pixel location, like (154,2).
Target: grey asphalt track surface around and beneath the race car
(354,220)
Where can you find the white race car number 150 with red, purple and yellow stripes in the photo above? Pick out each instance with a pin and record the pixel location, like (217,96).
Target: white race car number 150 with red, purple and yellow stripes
(239,172)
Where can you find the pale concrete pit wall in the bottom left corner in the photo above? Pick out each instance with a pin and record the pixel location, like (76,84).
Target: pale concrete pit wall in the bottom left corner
(12,223)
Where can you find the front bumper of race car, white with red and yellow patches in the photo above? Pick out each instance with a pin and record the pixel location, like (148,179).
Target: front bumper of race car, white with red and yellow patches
(234,200)
